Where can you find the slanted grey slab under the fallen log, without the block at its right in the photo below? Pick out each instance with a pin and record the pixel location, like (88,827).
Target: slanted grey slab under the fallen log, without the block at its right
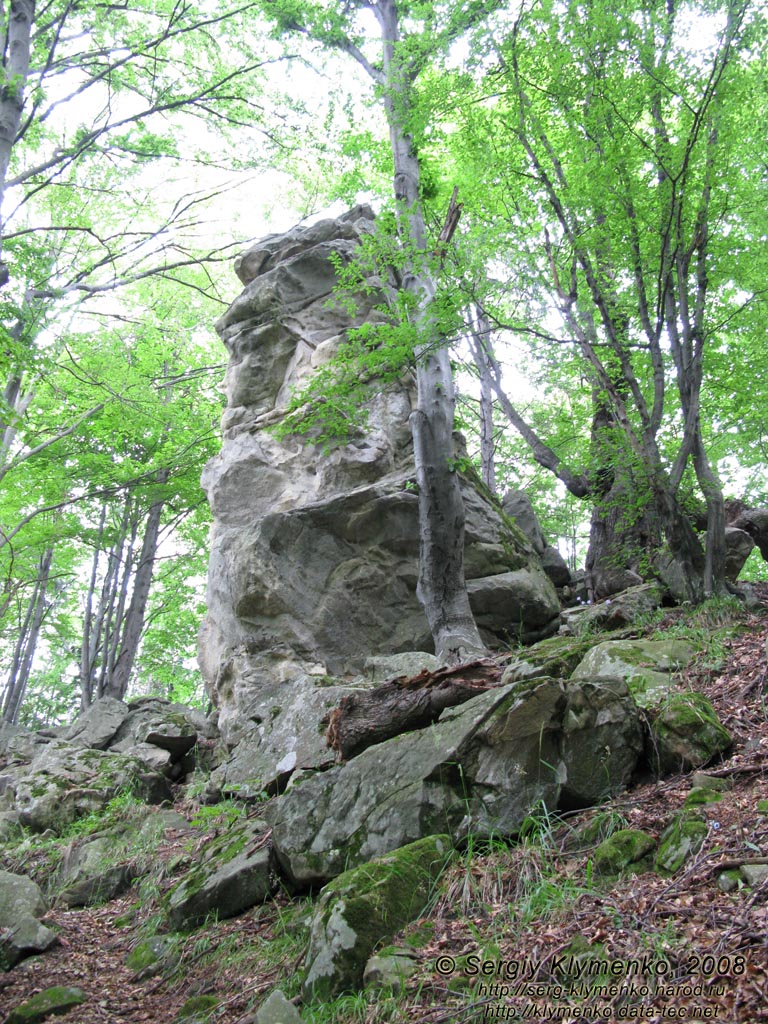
(482,767)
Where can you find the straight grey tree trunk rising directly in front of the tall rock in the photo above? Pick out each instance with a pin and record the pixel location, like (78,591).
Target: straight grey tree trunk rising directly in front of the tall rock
(442,587)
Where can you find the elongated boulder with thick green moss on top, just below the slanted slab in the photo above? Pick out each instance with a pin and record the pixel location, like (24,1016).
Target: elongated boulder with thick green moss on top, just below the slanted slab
(365,907)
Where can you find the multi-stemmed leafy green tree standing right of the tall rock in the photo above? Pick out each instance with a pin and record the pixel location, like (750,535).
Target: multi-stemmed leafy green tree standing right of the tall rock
(621,186)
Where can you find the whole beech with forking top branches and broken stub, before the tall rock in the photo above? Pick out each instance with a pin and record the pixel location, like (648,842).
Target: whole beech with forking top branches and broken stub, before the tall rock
(411,36)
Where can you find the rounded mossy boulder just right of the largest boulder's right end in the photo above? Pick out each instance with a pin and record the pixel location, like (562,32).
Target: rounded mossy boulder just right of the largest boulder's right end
(687,734)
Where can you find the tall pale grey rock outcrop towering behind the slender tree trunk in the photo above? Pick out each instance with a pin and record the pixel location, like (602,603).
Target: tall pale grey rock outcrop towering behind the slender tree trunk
(315,557)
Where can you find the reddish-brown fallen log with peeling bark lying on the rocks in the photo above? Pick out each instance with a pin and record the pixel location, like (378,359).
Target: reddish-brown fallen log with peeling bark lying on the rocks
(405,704)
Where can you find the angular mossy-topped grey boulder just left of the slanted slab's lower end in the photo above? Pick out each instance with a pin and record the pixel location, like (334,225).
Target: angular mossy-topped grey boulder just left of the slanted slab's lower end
(234,878)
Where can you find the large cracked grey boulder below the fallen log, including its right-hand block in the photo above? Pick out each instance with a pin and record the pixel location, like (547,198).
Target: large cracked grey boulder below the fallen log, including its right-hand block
(480,771)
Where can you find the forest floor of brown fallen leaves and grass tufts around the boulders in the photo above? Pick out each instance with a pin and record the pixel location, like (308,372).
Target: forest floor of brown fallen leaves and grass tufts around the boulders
(525,909)
